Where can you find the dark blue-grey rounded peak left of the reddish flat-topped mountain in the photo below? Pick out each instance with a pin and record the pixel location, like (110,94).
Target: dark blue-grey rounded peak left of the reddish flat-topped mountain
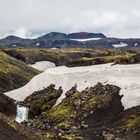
(54,36)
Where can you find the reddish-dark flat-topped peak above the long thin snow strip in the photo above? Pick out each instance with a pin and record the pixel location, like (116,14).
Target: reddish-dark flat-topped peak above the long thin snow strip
(85,35)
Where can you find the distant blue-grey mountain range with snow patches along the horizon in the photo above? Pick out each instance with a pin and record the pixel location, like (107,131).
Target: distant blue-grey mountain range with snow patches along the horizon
(62,40)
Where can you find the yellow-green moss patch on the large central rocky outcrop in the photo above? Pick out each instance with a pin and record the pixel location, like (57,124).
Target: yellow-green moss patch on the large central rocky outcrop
(61,113)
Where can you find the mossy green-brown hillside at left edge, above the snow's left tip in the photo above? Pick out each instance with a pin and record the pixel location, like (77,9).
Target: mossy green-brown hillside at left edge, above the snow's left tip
(13,73)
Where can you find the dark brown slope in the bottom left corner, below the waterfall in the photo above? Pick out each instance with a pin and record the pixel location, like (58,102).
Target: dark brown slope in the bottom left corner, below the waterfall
(10,130)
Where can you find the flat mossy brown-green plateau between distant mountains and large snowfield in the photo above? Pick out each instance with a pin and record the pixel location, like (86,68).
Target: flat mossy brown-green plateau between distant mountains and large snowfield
(71,56)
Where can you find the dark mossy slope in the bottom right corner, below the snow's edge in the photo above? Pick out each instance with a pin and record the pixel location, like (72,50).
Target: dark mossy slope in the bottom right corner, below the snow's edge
(126,126)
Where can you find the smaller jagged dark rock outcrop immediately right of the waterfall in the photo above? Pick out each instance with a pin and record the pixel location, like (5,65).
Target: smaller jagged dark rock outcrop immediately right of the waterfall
(41,101)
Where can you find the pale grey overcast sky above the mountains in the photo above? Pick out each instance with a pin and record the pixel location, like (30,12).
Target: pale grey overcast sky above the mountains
(31,18)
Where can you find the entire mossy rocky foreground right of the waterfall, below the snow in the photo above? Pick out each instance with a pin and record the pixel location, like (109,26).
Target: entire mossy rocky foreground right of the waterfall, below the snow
(95,113)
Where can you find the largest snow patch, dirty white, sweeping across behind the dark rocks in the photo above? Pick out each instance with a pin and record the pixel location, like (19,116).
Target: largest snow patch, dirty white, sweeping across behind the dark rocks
(124,76)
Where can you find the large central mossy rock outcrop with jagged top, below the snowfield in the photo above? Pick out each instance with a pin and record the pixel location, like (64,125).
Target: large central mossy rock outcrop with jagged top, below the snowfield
(77,116)
